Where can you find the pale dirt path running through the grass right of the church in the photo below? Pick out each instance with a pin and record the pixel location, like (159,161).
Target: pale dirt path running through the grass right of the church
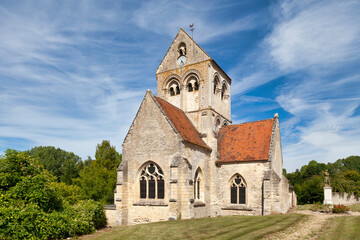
(309,229)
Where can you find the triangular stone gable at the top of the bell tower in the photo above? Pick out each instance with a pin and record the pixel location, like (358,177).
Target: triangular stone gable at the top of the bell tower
(194,53)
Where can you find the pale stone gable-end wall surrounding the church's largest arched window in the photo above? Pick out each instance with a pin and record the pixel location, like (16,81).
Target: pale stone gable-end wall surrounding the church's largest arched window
(150,138)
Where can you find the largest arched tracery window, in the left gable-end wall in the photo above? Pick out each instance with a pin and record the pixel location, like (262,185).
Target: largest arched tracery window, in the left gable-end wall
(152,182)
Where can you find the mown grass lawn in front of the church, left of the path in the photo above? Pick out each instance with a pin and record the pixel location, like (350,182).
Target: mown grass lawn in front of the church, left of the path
(232,227)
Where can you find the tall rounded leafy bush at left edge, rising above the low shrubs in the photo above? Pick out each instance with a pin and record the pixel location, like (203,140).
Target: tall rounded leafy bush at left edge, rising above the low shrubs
(24,181)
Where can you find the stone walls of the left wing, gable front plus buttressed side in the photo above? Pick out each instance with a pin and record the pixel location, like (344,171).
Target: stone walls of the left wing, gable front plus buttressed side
(154,140)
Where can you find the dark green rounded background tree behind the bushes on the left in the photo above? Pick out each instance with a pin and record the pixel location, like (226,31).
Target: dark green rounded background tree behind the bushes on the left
(62,164)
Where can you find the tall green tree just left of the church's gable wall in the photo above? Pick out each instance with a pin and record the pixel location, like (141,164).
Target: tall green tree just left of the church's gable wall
(98,180)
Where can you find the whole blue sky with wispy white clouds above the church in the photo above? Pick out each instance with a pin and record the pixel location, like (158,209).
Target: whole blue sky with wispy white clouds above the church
(73,73)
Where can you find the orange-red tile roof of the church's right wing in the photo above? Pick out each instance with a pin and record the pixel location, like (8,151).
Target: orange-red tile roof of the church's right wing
(245,142)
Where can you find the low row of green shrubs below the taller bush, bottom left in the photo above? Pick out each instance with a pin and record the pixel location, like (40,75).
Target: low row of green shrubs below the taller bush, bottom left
(32,222)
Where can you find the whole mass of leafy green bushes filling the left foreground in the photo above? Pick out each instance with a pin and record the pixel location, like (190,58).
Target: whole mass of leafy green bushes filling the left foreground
(33,206)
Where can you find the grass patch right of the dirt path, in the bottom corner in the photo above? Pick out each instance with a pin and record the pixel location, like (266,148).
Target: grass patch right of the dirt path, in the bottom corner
(347,227)
